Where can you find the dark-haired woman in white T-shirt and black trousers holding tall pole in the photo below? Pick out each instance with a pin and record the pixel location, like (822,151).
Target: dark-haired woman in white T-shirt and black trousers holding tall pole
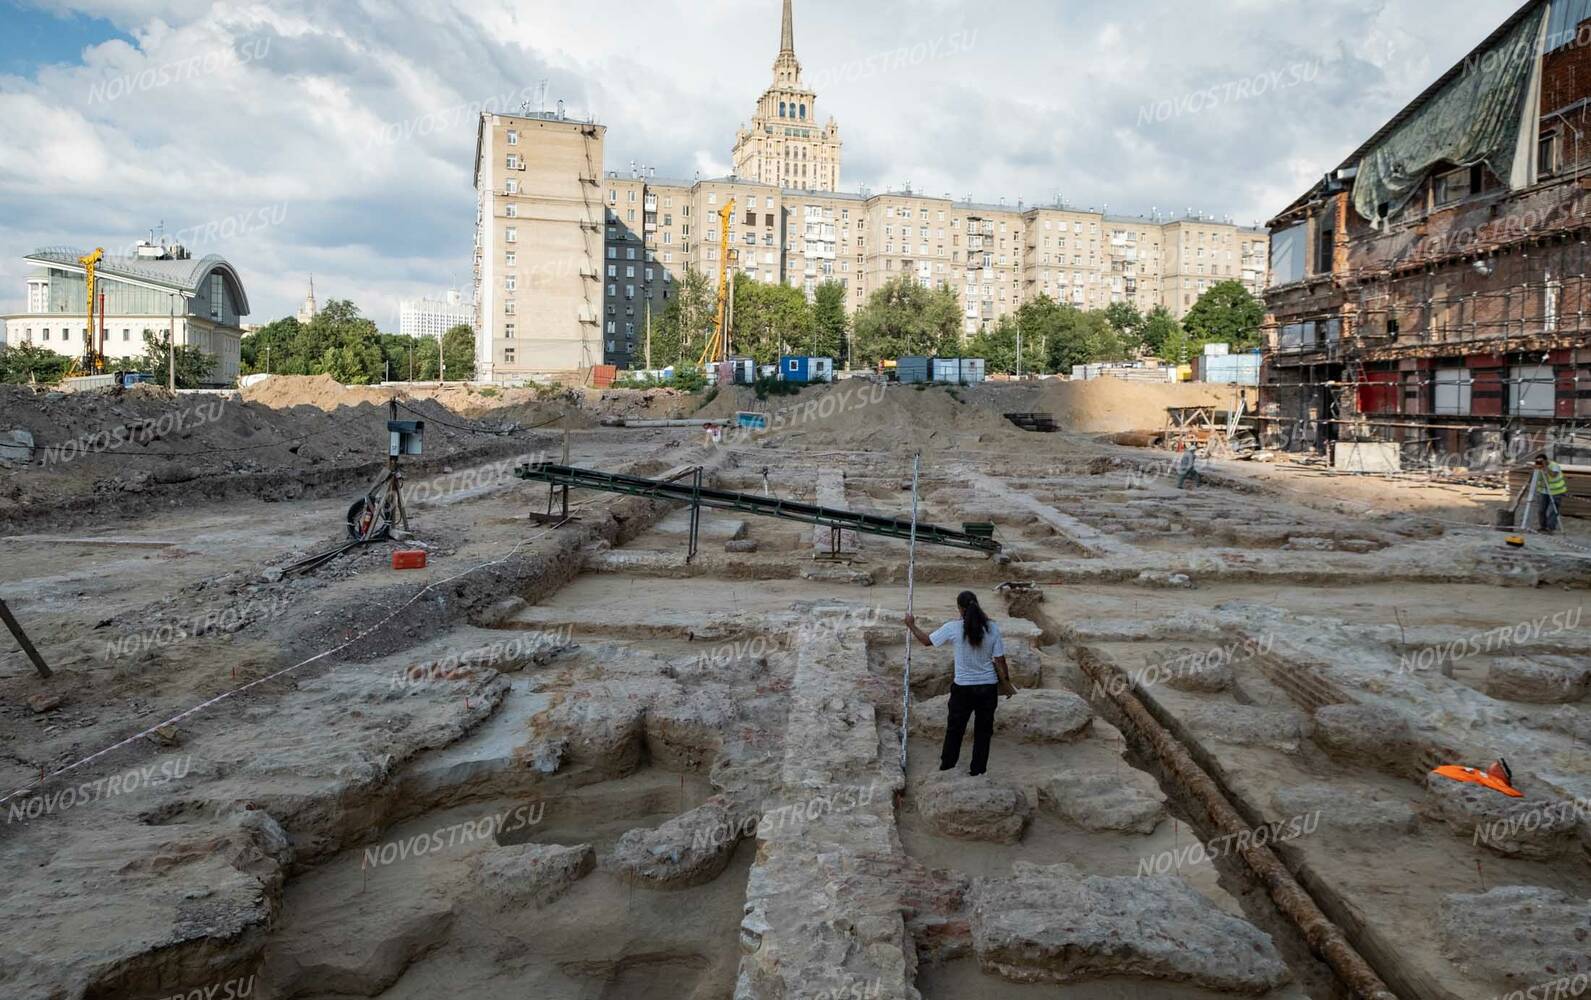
(982,678)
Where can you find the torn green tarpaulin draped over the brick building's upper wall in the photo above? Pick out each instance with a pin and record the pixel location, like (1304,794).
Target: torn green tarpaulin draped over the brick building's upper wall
(1472,120)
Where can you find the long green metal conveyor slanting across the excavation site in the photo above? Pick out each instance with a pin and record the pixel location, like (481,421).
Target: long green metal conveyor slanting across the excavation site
(696,495)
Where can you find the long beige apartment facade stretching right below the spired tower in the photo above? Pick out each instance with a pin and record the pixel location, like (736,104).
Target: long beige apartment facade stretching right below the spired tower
(990,255)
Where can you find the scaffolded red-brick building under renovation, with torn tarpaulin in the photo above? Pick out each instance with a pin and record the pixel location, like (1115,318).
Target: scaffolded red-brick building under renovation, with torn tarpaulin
(1433,290)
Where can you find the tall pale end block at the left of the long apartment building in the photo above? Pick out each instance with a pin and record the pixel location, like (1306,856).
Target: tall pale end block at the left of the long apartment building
(539,246)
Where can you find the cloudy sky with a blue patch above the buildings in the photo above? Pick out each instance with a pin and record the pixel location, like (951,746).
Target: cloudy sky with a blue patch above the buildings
(336,138)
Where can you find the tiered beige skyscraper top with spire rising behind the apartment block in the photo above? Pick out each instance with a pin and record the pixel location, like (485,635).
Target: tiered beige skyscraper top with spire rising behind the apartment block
(785,145)
